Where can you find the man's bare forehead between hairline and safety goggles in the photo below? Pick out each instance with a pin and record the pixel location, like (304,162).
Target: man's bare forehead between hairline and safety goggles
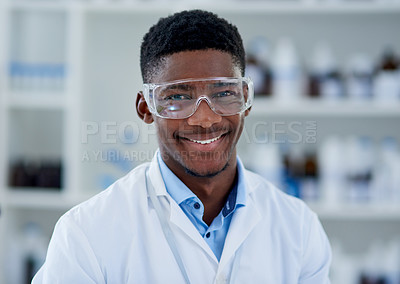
(196,64)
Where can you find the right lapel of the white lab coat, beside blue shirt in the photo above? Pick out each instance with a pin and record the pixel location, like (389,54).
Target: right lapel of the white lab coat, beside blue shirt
(243,222)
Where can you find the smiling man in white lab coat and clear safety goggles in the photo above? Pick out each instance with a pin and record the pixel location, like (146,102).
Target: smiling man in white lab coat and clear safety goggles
(194,214)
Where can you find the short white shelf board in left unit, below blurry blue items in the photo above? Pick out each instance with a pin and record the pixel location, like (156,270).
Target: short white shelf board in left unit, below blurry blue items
(31,100)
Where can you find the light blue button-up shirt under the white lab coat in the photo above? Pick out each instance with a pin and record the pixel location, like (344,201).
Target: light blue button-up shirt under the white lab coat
(215,234)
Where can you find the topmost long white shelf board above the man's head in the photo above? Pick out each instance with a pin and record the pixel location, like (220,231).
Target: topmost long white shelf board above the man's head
(245,7)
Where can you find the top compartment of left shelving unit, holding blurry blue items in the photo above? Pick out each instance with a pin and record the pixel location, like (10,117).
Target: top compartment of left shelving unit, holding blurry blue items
(37,51)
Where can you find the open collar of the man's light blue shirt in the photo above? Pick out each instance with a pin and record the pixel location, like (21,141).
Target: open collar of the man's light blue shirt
(180,192)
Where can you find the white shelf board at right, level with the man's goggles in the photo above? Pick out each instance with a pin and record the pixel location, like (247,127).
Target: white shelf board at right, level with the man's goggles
(266,107)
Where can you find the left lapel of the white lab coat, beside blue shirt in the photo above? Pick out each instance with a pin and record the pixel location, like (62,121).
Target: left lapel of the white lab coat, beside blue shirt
(176,216)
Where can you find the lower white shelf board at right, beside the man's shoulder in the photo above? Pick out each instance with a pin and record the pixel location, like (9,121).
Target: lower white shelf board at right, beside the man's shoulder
(362,212)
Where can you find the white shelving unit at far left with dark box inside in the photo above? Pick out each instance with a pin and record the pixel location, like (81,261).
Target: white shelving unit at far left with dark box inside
(41,117)
